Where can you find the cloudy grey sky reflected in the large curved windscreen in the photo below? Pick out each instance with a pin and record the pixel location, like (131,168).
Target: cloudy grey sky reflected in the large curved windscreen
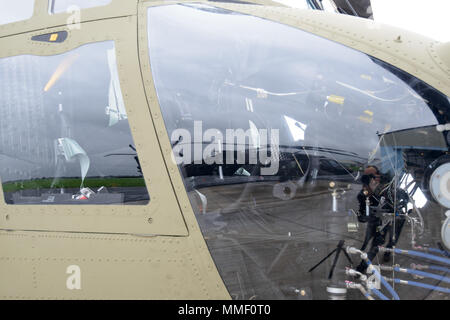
(223,61)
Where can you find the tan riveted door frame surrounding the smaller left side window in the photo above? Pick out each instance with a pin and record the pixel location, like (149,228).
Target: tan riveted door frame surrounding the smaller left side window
(161,216)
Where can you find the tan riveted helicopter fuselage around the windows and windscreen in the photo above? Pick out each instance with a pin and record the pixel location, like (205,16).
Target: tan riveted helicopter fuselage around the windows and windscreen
(154,251)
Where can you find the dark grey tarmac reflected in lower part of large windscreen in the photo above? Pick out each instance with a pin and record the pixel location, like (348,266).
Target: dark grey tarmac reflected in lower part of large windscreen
(264,246)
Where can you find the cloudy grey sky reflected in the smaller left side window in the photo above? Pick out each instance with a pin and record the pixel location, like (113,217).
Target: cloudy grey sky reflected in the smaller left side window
(41,101)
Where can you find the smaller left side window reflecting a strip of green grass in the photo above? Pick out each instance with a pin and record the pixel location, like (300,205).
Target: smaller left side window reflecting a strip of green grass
(64,132)
